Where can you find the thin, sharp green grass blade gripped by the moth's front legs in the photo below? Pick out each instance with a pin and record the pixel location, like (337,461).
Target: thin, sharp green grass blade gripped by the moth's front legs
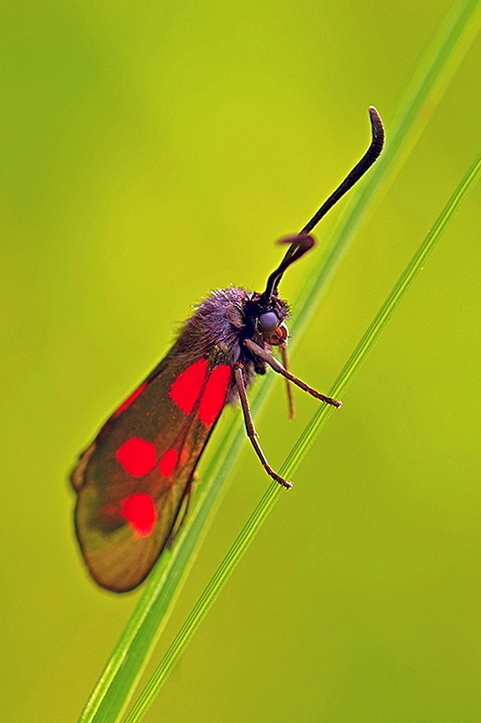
(300,449)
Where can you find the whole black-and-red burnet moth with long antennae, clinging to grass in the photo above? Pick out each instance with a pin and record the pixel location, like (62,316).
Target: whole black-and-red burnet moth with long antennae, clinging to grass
(133,482)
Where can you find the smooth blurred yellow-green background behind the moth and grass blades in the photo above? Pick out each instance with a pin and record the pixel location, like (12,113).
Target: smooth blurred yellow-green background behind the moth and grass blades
(152,152)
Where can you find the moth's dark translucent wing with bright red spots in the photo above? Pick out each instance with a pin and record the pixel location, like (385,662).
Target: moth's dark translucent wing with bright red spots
(132,479)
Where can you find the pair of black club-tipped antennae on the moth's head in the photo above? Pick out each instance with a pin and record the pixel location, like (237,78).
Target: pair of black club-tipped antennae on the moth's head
(298,245)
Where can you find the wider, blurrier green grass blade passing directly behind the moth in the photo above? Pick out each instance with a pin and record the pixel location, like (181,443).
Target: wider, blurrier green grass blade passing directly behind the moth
(115,686)
